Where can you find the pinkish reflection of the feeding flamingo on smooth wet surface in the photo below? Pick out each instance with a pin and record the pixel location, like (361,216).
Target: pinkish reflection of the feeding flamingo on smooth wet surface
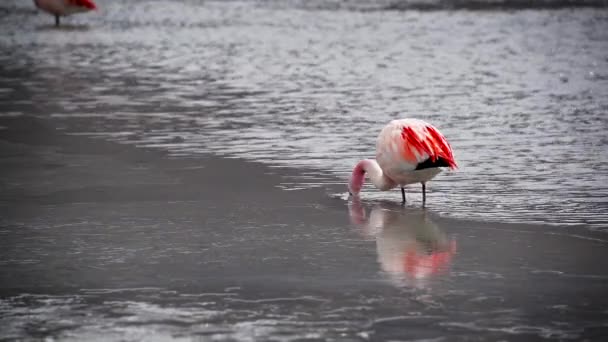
(411,248)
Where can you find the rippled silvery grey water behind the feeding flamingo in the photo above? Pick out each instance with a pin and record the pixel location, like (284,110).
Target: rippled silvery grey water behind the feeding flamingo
(520,92)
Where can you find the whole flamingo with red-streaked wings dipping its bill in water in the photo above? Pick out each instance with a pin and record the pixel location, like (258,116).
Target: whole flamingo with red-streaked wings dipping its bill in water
(407,151)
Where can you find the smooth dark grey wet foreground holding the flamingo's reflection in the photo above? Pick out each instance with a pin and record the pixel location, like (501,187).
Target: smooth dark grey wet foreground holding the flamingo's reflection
(107,241)
